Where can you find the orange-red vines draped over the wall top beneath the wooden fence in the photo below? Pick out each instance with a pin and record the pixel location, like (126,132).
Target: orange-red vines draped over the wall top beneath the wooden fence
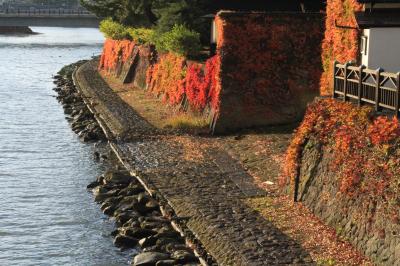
(365,148)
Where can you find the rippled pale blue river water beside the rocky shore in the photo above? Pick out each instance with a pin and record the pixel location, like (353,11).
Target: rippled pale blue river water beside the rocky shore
(46,215)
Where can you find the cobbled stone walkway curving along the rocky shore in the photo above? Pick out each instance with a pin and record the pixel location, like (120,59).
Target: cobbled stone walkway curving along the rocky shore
(201,182)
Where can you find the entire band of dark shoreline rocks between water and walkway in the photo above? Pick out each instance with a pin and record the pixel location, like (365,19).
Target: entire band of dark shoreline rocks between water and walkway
(140,222)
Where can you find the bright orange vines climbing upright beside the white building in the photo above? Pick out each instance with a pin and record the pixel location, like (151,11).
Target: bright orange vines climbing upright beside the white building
(339,44)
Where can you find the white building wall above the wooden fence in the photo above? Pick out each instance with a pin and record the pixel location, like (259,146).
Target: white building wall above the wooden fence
(383,49)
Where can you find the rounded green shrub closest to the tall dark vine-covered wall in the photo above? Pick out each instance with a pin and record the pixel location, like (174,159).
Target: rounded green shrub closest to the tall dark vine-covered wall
(181,41)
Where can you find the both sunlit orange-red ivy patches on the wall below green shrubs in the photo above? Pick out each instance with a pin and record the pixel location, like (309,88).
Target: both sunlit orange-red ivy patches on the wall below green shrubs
(172,77)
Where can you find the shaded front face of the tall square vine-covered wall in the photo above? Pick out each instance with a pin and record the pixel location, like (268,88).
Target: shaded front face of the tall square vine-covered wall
(270,67)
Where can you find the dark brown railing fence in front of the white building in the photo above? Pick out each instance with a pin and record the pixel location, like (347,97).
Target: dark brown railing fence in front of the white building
(361,85)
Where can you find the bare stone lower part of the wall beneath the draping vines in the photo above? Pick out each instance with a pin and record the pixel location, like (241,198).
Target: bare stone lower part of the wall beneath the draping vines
(355,219)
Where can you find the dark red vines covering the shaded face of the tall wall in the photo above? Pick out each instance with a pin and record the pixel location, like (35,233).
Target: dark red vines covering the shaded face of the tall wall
(262,56)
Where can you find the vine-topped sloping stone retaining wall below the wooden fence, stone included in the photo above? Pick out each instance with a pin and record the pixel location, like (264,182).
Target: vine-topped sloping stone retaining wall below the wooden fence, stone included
(345,165)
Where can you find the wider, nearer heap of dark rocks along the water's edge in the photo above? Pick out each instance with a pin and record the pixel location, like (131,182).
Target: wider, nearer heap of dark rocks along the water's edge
(140,222)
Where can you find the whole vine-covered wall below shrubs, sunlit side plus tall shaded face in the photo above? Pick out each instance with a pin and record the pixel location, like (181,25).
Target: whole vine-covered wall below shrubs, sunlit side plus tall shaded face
(266,70)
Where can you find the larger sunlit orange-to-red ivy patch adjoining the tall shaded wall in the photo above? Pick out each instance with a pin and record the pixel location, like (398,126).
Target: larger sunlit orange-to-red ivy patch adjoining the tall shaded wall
(180,82)
